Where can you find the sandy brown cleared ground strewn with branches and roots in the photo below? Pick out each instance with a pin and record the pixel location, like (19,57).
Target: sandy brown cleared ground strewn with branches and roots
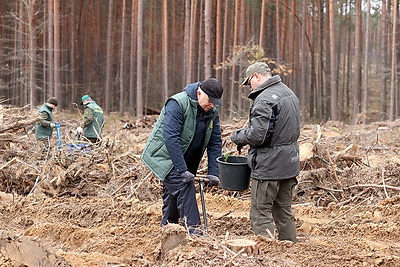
(102,208)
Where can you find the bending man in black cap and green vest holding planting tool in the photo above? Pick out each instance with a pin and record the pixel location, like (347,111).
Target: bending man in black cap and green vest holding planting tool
(187,126)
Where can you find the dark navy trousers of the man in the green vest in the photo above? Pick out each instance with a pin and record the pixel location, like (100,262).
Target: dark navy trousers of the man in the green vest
(179,202)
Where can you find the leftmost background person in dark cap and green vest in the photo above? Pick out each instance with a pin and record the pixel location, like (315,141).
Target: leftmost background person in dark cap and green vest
(44,127)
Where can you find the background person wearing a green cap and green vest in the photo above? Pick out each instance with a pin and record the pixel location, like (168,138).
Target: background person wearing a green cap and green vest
(93,120)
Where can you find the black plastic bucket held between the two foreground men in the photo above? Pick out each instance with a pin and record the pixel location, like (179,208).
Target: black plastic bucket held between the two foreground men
(234,173)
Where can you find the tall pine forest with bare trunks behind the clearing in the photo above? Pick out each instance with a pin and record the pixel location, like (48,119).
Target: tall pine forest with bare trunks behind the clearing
(340,57)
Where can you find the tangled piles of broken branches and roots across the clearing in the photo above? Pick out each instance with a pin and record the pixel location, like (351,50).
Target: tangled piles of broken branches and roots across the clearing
(336,165)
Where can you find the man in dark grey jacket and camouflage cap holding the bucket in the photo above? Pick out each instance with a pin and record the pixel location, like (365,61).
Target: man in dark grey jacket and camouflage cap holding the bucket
(272,133)
